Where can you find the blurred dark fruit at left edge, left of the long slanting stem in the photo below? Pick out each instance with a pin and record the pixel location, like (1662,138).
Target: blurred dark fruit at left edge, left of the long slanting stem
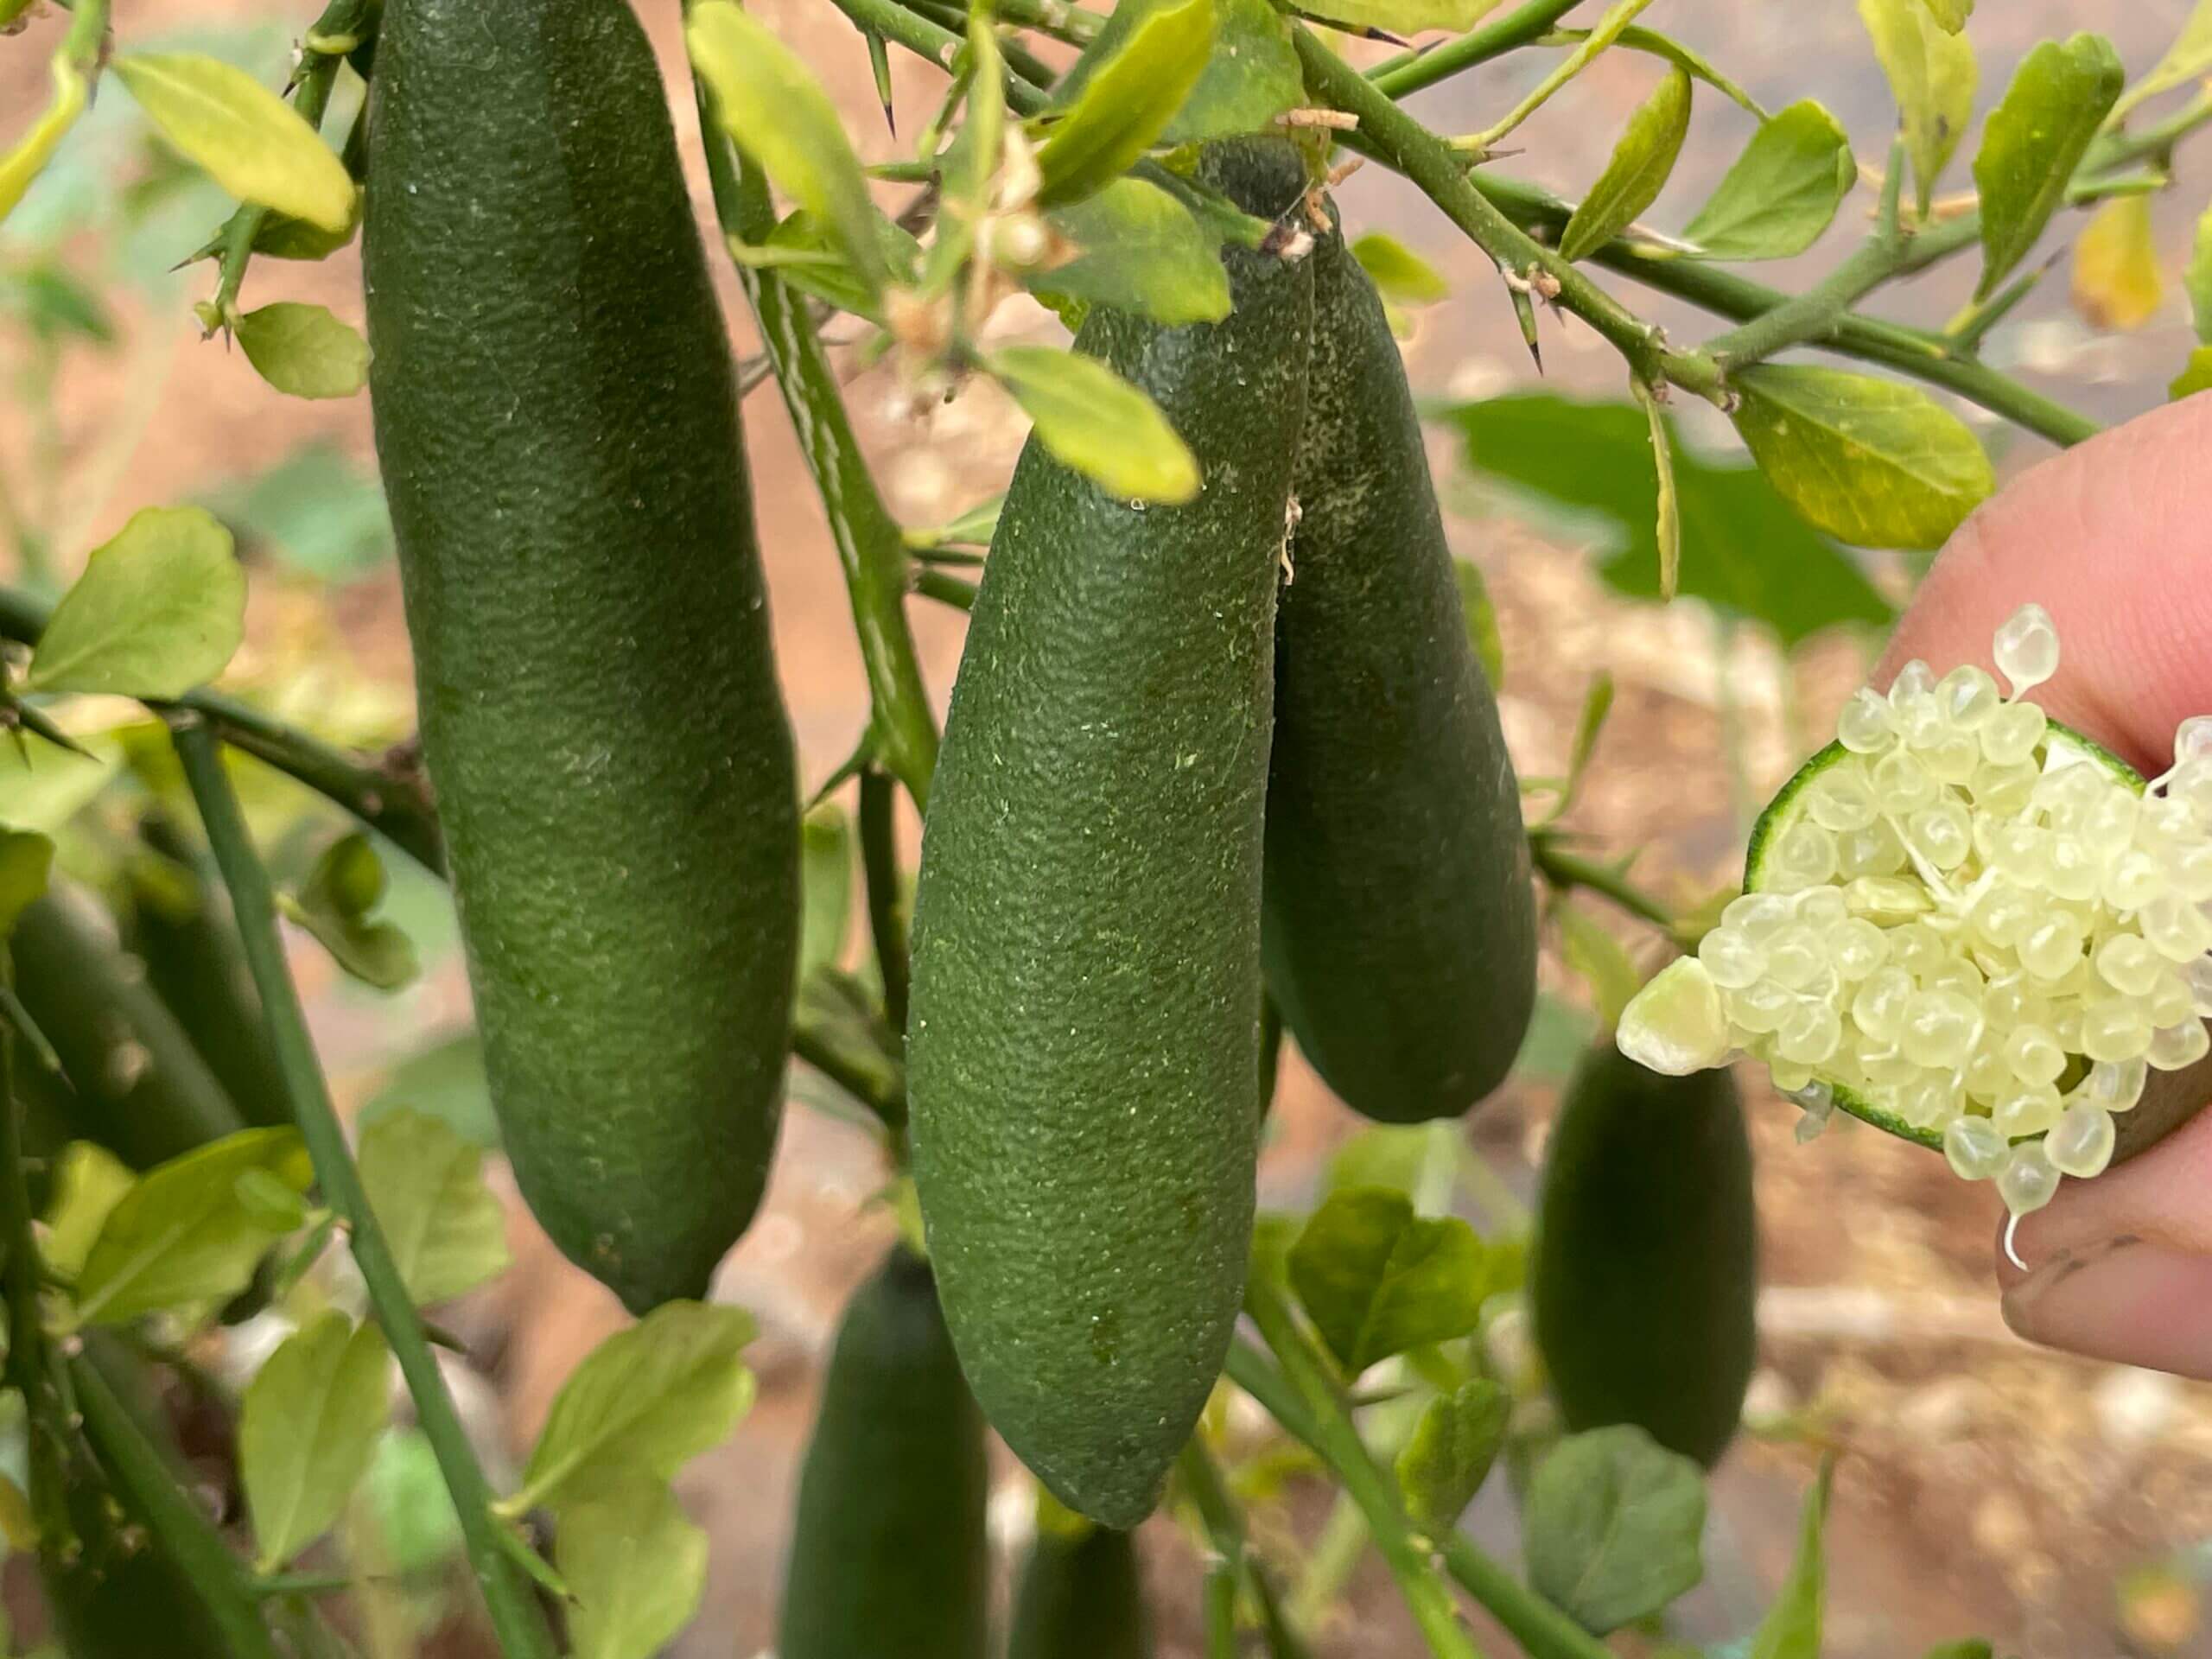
(136,1081)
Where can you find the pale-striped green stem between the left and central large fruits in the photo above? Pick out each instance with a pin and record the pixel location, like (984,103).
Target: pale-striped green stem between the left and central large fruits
(868,539)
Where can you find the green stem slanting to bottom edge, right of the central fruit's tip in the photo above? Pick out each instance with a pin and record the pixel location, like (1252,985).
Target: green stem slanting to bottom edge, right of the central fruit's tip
(1306,1401)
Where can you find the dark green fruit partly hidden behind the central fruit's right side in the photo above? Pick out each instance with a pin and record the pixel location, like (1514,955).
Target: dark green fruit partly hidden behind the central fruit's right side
(1399,910)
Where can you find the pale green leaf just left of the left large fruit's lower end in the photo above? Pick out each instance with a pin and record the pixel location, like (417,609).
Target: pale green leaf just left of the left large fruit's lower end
(426,1185)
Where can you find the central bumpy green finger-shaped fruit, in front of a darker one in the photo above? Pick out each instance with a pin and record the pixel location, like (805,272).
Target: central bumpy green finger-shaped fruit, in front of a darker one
(1085,1010)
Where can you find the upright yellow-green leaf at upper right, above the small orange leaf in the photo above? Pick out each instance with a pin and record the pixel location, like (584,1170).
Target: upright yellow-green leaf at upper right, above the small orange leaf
(2034,143)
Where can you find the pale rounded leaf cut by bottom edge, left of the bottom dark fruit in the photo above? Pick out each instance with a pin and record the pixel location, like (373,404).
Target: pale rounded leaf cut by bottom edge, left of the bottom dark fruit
(634,1563)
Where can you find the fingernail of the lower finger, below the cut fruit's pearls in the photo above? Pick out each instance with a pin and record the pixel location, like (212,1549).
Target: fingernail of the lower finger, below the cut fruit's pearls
(2127,1300)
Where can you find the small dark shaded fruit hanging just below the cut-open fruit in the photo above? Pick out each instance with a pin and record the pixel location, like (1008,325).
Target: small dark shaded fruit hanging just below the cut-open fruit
(1647,1262)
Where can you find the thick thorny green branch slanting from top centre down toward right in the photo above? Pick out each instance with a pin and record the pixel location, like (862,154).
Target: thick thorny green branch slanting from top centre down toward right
(1430,163)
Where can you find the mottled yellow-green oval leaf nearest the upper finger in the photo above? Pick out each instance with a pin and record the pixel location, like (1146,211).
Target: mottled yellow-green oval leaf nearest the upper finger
(1877,463)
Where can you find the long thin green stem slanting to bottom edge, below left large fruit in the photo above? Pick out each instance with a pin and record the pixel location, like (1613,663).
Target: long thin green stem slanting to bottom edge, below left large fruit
(517,1620)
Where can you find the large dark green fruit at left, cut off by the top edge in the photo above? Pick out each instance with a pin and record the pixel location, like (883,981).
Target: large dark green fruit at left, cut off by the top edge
(559,432)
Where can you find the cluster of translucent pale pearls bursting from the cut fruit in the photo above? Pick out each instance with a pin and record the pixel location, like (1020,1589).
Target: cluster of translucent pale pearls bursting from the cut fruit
(1976,930)
